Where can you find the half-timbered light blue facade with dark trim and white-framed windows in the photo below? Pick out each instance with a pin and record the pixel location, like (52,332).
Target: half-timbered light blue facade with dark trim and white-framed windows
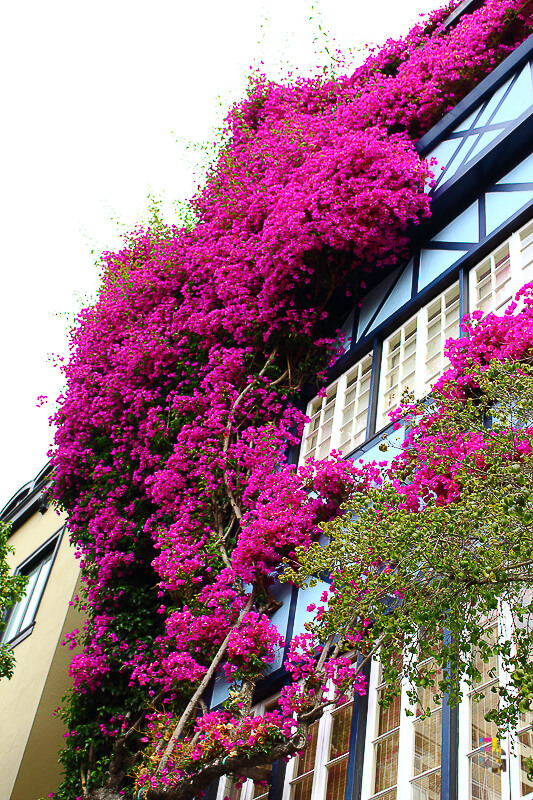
(474,252)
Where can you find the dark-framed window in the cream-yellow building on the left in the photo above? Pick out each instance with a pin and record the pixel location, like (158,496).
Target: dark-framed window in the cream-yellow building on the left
(21,617)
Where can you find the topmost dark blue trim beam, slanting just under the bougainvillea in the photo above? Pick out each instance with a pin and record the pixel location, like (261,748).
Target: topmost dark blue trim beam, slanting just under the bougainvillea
(487,87)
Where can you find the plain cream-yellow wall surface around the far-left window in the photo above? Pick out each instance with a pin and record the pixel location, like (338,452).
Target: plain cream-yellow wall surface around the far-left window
(29,735)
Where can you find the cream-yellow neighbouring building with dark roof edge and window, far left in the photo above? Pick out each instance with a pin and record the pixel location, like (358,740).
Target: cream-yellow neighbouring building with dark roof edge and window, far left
(30,734)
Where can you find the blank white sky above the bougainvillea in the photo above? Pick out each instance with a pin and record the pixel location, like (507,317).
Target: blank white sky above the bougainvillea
(98,102)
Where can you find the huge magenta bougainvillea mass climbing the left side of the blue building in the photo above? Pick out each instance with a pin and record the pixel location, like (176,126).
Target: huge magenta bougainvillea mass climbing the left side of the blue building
(182,403)
